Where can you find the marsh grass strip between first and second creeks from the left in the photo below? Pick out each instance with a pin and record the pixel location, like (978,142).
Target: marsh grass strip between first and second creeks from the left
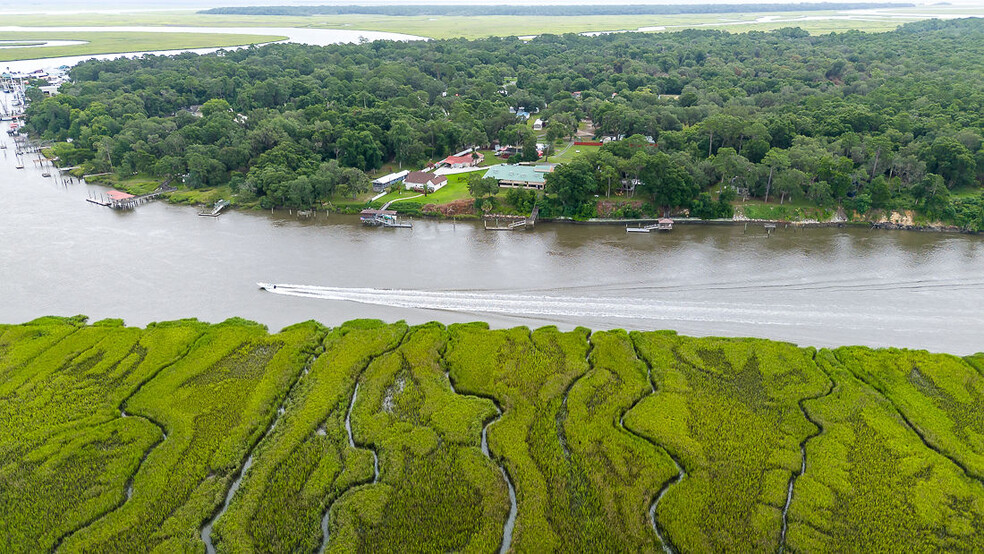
(213,404)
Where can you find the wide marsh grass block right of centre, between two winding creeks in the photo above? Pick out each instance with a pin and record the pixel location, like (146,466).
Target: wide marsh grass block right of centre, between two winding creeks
(727,408)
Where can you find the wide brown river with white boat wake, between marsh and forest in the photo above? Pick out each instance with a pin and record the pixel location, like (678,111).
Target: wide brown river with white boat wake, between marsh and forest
(60,255)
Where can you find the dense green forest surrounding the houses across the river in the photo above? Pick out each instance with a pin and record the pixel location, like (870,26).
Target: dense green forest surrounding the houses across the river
(889,121)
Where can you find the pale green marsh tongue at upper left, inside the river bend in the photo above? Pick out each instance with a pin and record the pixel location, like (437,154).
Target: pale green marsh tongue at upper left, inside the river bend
(108,42)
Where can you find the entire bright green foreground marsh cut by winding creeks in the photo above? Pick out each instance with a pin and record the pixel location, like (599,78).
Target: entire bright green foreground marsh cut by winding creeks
(371,437)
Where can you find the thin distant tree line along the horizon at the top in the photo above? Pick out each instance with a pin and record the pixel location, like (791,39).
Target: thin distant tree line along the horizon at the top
(553,11)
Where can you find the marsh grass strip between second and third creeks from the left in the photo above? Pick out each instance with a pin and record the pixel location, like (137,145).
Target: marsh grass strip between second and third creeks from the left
(306,462)
